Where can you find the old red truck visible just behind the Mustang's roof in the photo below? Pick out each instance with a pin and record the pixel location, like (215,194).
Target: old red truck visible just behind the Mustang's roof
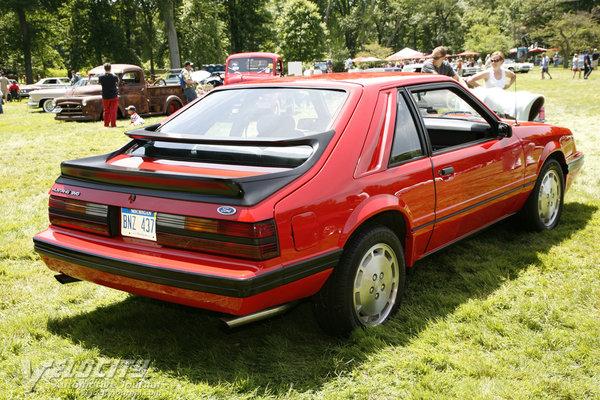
(245,67)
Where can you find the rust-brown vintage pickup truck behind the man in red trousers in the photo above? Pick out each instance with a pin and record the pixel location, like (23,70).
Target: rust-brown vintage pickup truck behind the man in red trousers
(85,103)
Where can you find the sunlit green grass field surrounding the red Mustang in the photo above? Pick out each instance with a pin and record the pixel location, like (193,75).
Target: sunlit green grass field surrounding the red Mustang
(504,315)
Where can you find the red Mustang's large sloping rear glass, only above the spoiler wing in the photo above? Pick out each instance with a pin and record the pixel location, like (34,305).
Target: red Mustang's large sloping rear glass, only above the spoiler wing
(272,113)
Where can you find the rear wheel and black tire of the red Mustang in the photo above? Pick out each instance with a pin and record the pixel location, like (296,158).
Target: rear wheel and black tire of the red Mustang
(366,286)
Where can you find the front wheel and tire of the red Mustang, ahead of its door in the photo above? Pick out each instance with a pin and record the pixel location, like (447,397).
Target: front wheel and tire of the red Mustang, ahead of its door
(543,208)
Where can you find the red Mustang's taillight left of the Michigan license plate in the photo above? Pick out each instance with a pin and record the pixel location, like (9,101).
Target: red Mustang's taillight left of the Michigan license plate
(81,215)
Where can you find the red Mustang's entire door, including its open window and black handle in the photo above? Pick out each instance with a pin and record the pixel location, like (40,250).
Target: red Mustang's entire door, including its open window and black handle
(478,173)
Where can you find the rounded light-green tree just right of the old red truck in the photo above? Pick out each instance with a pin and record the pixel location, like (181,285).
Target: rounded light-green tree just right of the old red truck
(301,33)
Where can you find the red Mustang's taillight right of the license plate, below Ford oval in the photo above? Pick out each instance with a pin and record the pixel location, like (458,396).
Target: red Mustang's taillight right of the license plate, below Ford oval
(255,241)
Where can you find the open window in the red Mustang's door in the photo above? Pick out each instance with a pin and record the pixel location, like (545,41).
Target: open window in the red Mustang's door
(449,119)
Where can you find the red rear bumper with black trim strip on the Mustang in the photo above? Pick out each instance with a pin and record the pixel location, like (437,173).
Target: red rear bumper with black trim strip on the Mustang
(224,292)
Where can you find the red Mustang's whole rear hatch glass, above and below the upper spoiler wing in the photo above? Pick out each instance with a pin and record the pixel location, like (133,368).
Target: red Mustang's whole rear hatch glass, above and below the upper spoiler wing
(251,114)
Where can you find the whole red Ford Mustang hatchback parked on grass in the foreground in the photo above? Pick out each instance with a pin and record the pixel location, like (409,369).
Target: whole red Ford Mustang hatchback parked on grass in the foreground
(262,194)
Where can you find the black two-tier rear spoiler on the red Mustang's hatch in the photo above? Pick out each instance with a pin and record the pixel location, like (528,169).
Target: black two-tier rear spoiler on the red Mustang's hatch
(94,172)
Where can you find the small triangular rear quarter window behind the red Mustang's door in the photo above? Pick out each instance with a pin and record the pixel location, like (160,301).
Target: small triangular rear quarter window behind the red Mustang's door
(406,144)
